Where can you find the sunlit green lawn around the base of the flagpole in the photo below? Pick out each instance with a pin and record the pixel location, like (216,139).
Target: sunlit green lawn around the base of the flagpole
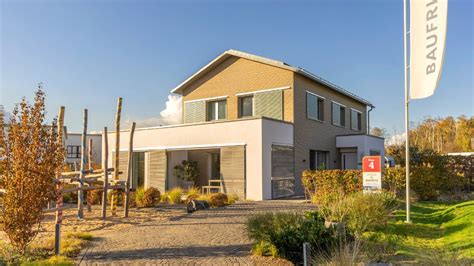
(438,231)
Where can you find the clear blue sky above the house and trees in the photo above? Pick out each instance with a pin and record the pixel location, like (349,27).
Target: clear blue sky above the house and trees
(88,53)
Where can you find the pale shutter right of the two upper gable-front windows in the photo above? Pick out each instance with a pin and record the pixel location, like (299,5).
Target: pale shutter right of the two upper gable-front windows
(269,104)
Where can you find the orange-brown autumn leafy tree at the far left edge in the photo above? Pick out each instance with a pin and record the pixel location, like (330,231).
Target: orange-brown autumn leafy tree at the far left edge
(32,155)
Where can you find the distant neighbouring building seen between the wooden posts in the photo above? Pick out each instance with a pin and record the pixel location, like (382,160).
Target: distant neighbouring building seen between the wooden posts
(73,149)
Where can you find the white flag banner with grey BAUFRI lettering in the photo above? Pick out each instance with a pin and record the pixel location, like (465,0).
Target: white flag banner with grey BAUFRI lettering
(428,23)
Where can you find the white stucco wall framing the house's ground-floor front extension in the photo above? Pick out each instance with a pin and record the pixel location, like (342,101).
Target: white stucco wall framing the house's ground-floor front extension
(256,134)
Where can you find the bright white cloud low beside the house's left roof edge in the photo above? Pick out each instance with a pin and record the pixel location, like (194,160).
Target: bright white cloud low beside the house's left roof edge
(171,115)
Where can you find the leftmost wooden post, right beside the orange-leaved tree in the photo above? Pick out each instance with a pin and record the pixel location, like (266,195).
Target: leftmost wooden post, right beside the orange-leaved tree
(59,186)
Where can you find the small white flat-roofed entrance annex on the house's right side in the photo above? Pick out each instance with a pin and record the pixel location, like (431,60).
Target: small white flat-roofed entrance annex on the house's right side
(363,143)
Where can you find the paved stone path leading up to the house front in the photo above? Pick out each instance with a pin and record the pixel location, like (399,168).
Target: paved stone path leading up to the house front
(211,237)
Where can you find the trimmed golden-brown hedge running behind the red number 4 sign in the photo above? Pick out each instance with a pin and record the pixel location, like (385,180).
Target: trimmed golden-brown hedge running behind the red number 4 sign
(438,176)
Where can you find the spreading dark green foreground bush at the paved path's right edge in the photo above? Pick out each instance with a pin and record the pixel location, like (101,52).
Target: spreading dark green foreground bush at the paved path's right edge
(283,234)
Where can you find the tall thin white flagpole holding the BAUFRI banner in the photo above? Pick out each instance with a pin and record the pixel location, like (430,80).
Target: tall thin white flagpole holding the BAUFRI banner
(407,126)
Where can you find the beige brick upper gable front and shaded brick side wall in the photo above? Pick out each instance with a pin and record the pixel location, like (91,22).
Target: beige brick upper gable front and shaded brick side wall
(236,75)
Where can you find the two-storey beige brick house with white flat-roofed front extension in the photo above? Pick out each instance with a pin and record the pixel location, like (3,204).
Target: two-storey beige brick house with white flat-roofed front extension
(256,124)
